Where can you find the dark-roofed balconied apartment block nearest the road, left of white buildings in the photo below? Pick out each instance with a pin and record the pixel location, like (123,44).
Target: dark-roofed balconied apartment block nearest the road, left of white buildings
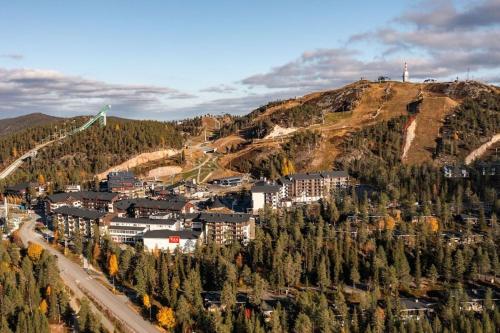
(83,219)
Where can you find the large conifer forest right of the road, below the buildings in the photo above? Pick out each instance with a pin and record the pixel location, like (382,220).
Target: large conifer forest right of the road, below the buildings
(330,275)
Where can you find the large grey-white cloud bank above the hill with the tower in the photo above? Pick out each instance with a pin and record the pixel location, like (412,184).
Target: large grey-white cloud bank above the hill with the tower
(441,42)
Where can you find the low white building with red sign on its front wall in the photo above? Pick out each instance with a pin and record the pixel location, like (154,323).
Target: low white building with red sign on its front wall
(170,240)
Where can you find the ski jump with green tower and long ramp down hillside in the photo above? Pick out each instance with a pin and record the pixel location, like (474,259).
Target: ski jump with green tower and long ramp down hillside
(100,117)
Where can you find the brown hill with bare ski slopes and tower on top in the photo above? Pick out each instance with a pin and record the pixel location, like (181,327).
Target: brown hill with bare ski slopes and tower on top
(311,131)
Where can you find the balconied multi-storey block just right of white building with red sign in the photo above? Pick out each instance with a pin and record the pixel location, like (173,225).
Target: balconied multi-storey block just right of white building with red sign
(223,228)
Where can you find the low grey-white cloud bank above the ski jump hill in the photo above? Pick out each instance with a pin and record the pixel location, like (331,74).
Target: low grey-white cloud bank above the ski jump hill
(30,90)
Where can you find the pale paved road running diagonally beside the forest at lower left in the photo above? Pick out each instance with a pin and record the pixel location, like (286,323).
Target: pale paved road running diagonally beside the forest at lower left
(75,277)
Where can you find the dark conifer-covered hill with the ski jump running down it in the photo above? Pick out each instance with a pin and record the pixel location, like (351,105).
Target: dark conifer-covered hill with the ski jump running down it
(78,158)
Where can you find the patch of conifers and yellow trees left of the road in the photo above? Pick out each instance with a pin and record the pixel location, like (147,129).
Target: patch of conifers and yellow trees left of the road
(32,296)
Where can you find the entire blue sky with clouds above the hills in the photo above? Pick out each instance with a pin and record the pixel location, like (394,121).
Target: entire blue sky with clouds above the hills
(177,59)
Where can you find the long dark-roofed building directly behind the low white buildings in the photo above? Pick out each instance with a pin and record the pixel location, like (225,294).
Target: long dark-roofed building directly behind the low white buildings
(171,206)
